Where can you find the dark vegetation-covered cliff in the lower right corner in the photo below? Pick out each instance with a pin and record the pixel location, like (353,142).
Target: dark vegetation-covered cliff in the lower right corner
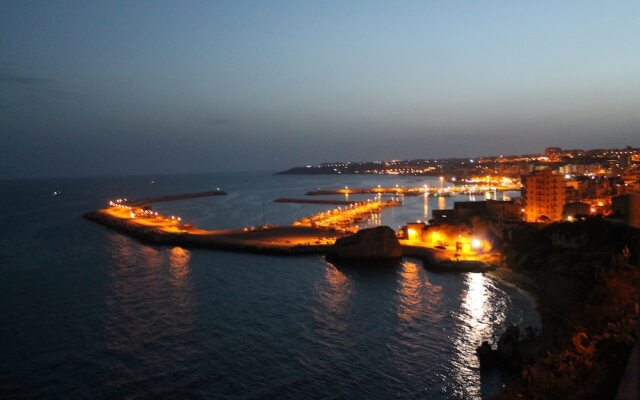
(587,276)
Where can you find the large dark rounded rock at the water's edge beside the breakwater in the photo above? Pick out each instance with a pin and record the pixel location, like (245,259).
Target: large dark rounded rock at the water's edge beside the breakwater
(378,243)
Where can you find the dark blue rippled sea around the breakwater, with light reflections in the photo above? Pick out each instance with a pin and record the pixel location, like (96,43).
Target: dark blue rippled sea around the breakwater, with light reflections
(87,313)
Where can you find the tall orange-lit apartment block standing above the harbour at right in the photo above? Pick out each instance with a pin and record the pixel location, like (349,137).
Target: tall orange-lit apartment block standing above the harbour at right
(544,196)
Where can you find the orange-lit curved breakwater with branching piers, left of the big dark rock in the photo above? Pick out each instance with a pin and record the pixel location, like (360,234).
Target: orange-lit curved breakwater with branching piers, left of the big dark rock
(312,235)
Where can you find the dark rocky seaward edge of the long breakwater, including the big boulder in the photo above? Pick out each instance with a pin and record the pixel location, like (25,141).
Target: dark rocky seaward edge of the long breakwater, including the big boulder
(290,240)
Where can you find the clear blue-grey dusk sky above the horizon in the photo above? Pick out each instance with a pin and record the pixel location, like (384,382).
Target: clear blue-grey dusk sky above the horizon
(106,88)
